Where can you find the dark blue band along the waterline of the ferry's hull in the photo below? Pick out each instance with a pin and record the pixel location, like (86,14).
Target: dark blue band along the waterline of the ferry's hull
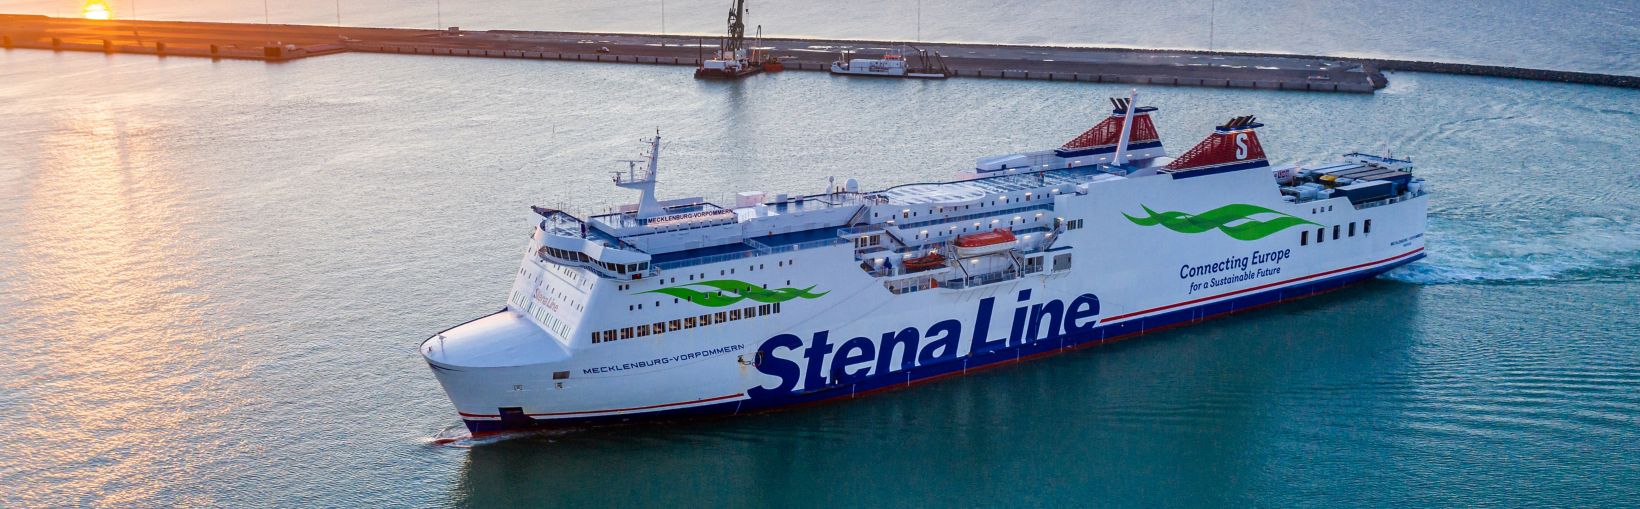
(978,360)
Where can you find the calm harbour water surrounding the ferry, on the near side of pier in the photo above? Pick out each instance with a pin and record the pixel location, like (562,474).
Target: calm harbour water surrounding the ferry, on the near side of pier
(214,278)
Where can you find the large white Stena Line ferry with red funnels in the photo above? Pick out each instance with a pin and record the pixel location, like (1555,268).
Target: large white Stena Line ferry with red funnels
(681,308)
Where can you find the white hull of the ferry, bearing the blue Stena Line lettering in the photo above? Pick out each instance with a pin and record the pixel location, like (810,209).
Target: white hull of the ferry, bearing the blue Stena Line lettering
(855,336)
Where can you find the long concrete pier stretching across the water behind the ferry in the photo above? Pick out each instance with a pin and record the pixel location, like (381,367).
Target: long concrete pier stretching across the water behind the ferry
(991,62)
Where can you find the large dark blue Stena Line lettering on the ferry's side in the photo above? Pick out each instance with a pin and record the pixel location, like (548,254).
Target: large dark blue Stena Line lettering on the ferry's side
(824,362)
